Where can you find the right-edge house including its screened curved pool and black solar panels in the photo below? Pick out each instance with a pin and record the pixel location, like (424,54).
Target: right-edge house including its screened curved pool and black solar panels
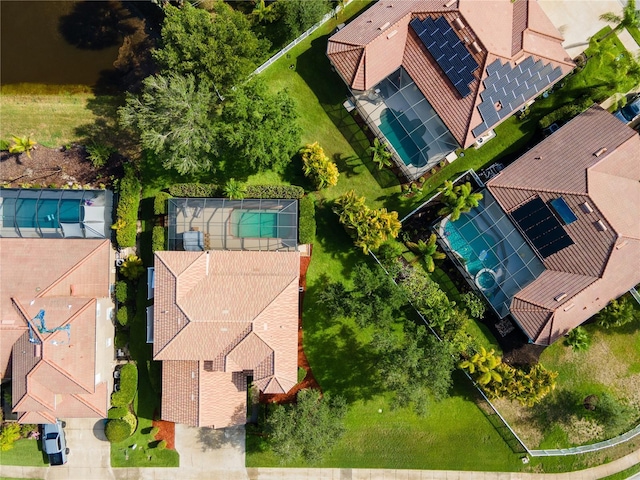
(557,234)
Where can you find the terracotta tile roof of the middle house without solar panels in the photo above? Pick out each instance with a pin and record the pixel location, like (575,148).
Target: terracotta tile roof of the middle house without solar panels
(222,313)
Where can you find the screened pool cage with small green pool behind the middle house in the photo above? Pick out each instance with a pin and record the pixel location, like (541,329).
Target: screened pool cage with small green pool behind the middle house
(197,224)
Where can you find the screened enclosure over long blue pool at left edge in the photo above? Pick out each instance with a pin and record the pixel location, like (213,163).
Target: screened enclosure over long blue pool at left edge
(49,213)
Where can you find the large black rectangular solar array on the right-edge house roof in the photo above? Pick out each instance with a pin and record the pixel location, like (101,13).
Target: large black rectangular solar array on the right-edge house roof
(541,227)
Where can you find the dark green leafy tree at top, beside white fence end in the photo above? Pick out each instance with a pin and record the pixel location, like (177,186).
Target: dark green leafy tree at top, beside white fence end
(217,46)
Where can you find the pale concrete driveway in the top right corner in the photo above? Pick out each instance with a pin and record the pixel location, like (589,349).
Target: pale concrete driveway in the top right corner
(578,20)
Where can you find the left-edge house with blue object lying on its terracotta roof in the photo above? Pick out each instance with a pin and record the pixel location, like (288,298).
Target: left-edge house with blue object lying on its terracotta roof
(59,361)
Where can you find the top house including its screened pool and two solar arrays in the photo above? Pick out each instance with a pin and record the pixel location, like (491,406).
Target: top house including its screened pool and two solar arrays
(432,76)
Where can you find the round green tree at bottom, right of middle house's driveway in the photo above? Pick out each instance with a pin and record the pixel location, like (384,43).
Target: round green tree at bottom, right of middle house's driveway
(308,428)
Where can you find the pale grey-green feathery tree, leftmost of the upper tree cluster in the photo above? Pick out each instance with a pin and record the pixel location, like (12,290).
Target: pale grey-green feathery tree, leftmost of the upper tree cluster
(172,118)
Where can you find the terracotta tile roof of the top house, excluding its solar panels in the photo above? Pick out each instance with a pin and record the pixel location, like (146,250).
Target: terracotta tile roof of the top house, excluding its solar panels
(380,40)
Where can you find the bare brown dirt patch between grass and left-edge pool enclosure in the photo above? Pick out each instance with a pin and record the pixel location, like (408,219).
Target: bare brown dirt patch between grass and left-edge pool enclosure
(54,168)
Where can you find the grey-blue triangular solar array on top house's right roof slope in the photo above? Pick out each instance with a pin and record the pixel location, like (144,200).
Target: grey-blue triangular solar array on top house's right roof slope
(510,87)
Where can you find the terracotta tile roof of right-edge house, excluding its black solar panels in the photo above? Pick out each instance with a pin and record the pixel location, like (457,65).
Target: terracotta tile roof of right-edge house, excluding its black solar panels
(593,163)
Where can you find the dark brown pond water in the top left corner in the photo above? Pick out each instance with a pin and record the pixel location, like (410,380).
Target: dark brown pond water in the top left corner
(57,42)
